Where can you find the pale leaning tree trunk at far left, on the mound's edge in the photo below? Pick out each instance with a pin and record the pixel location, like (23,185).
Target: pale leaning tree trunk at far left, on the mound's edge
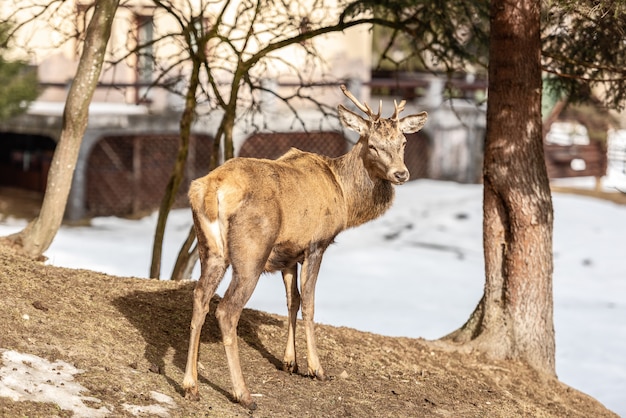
(39,233)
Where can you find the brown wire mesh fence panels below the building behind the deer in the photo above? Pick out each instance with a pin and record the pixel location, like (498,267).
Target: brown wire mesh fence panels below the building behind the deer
(127,175)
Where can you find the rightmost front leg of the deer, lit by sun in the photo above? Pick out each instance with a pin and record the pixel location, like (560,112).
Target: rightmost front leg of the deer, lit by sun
(310,269)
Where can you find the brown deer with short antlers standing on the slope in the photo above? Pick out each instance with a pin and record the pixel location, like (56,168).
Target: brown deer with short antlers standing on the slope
(259,215)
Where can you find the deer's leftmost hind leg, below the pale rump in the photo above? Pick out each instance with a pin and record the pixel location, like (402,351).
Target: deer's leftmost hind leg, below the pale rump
(213,266)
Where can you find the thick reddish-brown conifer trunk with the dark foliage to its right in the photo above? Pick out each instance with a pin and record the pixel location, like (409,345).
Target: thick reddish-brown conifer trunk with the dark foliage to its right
(514,318)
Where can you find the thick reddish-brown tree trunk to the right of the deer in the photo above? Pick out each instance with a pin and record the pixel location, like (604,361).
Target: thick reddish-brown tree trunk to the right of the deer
(514,319)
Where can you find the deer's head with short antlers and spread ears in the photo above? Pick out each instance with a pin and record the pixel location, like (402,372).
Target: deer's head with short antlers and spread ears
(382,139)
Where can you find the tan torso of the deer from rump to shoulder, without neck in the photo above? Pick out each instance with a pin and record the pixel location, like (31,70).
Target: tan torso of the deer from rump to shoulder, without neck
(293,202)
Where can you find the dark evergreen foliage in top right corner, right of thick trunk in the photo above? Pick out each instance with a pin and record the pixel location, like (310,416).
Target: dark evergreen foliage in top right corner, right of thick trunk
(583,75)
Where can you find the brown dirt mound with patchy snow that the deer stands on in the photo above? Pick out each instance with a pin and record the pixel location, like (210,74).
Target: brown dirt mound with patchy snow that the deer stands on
(126,340)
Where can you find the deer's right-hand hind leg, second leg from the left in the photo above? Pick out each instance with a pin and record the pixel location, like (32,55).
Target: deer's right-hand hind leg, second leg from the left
(228,313)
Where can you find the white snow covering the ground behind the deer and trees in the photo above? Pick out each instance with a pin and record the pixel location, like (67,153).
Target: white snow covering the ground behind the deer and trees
(418,272)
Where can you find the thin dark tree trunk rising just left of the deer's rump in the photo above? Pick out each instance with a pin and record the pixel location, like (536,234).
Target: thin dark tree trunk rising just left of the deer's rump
(178,172)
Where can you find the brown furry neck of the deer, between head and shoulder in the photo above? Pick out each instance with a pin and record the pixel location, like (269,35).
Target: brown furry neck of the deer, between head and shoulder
(367,197)
